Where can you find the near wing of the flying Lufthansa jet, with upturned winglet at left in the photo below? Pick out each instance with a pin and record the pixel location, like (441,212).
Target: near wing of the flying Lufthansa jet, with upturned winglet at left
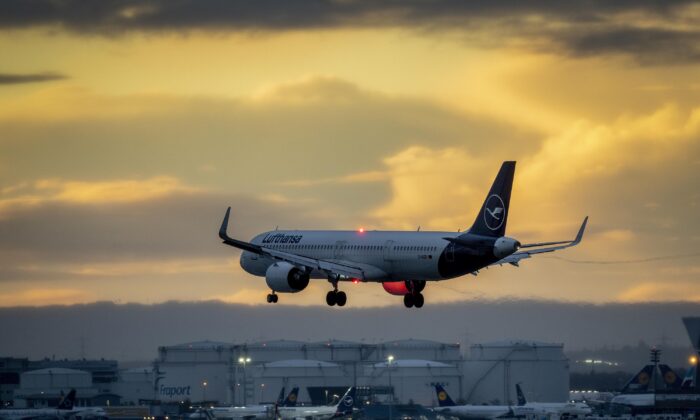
(330,267)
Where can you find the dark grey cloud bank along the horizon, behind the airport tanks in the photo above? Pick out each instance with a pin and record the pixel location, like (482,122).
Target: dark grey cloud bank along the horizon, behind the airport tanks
(133,331)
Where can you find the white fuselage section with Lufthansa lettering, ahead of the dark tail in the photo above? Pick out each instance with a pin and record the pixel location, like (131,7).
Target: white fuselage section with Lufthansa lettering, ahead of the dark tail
(385,255)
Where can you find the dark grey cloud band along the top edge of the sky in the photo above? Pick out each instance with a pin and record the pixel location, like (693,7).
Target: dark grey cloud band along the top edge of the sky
(653,32)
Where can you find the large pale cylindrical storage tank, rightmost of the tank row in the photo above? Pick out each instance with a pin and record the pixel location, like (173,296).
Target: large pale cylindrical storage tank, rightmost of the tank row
(493,369)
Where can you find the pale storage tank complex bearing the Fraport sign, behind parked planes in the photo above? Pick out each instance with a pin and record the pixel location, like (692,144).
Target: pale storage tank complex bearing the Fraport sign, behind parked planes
(254,373)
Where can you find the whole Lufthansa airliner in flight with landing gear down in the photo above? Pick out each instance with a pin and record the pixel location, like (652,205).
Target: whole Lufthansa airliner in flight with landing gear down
(403,262)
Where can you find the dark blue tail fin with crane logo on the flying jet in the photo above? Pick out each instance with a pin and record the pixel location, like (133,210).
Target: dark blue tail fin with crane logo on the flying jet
(491,220)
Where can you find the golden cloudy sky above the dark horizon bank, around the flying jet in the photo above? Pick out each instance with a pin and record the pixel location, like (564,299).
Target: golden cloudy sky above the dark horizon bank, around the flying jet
(127,128)
